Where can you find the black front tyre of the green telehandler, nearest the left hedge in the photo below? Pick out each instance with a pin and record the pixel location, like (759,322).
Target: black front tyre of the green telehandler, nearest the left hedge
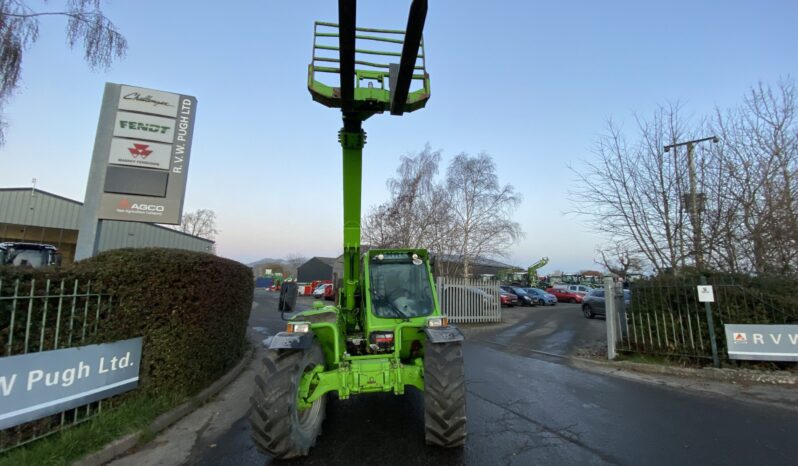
(278,428)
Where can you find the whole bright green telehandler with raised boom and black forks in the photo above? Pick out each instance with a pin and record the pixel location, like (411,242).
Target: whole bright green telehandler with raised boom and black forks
(387,331)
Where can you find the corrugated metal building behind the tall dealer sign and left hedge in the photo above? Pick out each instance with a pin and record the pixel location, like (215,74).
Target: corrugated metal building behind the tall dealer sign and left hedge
(37,216)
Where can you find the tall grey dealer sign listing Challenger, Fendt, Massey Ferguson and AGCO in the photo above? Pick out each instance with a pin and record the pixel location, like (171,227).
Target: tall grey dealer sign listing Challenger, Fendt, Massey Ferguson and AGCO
(140,161)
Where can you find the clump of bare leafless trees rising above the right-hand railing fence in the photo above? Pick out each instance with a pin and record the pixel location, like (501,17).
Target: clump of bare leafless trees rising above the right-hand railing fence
(747,219)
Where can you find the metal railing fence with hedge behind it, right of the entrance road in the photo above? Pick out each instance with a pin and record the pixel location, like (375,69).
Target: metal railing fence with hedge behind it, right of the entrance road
(664,317)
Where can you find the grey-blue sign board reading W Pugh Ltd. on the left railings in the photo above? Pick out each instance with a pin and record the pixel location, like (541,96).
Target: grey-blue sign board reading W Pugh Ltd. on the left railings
(36,385)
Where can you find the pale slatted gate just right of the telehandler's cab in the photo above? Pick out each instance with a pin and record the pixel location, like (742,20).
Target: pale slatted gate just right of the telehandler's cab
(469,300)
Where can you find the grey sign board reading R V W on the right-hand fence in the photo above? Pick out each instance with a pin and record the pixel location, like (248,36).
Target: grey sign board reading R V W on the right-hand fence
(762,342)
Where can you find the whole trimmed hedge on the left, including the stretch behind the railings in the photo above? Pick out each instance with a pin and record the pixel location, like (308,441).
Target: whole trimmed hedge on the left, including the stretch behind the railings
(191,308)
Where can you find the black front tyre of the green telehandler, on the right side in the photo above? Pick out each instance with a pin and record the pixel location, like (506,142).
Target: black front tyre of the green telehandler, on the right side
(444,395)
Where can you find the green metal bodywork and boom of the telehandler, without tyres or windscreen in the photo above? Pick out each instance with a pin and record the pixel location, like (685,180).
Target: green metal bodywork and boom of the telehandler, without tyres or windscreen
(388,371)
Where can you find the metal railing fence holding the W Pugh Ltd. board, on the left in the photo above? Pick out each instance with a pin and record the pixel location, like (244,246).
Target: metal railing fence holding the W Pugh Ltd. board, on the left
(43,315)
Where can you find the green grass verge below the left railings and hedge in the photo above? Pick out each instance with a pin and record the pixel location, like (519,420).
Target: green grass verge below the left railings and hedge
(76,442)
